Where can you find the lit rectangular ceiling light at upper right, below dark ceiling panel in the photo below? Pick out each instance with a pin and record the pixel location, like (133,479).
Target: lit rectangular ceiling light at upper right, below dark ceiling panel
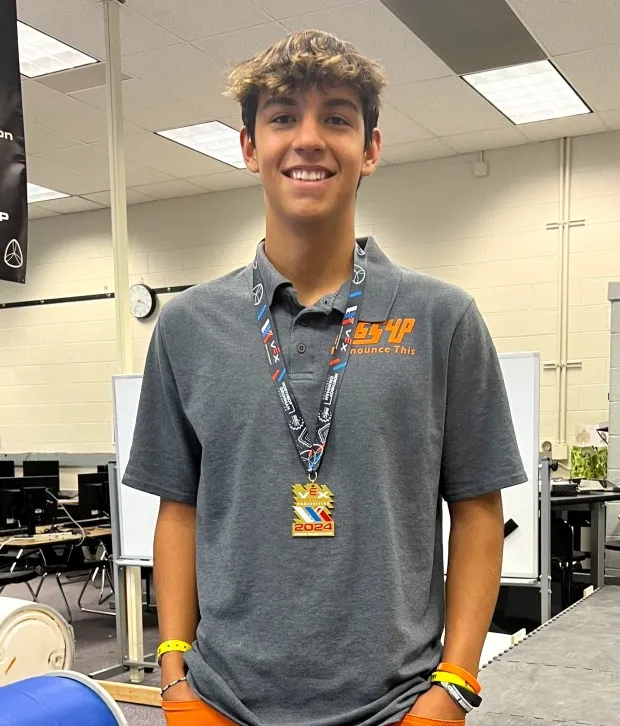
(528,92)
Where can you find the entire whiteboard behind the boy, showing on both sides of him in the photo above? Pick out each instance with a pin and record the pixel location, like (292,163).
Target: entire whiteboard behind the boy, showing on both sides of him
(138,510)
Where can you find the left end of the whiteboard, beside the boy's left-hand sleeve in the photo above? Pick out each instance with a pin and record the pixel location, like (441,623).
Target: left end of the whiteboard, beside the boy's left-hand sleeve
(138,510)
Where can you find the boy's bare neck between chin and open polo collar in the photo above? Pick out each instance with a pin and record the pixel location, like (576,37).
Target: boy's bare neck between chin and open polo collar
(317,260)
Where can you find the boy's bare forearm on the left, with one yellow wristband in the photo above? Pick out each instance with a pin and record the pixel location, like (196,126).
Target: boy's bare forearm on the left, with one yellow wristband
(175,581)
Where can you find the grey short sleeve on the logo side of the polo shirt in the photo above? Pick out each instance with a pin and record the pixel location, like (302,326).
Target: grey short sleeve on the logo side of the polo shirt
(480,452)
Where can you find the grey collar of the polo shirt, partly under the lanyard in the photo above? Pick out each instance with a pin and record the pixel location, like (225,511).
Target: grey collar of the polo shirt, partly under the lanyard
(381,288)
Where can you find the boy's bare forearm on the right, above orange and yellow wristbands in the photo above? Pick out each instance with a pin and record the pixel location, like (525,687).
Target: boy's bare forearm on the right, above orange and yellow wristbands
(474,572)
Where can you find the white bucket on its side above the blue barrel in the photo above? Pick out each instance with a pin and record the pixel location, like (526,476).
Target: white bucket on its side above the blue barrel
(34,640)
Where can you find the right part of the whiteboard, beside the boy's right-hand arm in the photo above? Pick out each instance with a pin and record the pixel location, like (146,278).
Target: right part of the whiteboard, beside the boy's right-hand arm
(521,373)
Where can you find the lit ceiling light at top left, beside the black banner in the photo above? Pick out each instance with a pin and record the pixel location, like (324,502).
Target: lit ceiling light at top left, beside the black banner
(40,54)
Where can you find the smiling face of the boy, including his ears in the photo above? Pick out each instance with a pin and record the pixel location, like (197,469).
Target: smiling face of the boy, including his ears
(310,152)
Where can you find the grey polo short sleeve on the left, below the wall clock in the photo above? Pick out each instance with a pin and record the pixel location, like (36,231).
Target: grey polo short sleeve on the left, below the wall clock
(165,453)
